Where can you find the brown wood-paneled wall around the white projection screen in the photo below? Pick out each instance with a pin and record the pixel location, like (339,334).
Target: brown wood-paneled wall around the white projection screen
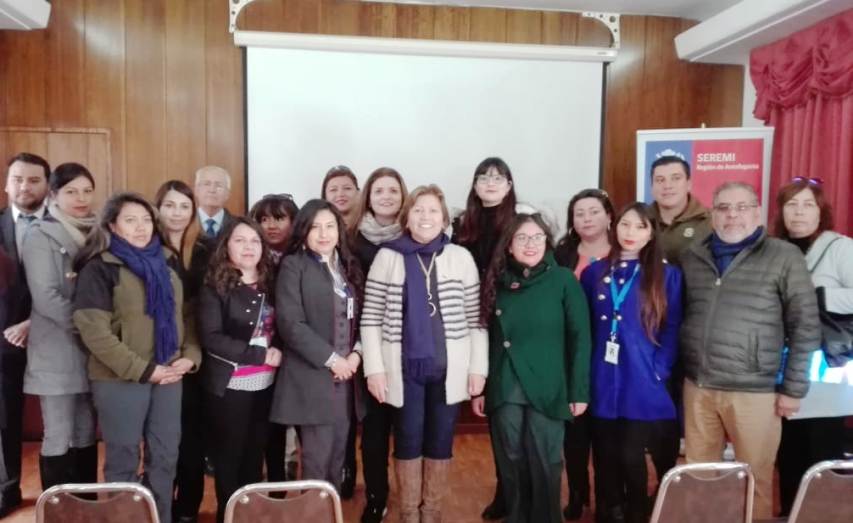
(164,77)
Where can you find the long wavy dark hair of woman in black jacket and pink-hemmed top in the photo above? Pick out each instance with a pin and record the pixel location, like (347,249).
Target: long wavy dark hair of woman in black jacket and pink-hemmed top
(221,273)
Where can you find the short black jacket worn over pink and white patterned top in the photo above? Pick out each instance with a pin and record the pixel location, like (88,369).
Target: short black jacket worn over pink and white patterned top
(225,327)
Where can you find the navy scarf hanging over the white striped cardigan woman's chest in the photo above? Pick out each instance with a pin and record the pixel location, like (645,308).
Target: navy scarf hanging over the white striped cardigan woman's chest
(418,343)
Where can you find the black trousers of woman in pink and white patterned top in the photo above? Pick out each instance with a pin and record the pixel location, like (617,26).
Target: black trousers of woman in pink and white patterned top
(239,421)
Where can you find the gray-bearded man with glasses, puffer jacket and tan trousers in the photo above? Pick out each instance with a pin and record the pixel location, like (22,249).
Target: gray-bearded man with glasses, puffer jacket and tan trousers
(747,297)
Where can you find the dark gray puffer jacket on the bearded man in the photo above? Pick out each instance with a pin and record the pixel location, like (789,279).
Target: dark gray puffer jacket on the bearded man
(735,326)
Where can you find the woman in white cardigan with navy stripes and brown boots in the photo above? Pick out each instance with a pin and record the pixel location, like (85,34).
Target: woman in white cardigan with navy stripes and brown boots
(424,348)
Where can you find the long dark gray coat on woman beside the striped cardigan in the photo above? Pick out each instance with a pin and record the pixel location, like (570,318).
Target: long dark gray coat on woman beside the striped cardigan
(305,317)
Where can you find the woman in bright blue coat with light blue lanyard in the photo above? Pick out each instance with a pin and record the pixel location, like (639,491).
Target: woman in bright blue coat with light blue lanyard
(635,306)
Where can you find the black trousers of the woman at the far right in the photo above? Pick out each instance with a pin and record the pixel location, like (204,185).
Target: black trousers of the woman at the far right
(804,443)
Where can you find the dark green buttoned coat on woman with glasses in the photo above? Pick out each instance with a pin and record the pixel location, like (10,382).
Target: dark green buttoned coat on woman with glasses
(539,339)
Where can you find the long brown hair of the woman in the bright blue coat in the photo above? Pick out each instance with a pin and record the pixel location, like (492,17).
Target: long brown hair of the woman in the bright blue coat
(652,285)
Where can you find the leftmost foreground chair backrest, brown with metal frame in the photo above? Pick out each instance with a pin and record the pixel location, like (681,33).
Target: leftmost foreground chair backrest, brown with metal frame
(101,503)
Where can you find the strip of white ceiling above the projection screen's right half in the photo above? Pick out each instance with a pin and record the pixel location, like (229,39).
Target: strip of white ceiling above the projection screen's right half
(692,9)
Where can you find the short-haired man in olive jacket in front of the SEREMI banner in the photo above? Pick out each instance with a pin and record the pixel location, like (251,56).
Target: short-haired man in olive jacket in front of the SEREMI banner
(680,218)
